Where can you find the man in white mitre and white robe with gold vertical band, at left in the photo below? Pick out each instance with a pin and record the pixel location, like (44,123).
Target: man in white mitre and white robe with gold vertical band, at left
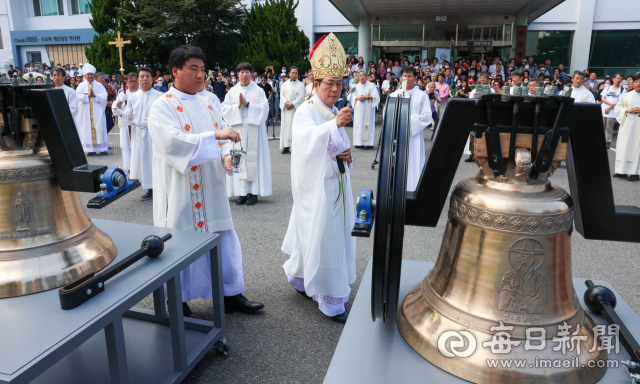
(91,121)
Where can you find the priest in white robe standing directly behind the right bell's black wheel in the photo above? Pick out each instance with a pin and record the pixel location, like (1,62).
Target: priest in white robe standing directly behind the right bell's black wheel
(420,115)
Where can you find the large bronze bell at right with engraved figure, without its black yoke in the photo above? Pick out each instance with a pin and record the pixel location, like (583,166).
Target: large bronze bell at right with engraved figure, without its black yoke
(505,259)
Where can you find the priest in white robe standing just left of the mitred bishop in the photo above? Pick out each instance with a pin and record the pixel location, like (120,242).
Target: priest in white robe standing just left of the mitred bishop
(292,95)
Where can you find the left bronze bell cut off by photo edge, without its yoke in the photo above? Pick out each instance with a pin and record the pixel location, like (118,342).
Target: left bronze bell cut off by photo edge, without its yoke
(46,238)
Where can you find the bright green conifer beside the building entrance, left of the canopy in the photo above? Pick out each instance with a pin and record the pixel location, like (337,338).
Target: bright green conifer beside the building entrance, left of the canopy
(271,37)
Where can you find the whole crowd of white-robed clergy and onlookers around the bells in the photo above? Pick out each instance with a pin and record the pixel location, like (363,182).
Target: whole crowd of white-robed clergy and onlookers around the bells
(179,130)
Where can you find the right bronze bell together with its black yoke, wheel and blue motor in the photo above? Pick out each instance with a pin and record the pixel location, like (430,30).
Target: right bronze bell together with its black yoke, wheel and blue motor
(505,260)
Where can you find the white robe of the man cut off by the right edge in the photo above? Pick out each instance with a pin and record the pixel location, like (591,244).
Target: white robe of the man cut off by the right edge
(628,144)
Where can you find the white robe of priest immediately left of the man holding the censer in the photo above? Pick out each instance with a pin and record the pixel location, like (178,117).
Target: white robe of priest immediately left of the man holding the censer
(137,112)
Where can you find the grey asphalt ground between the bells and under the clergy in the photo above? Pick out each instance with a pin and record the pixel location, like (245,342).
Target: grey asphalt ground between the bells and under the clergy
(290,341)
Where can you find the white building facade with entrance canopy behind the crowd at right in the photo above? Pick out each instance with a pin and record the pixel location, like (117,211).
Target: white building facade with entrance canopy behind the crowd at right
(602,35)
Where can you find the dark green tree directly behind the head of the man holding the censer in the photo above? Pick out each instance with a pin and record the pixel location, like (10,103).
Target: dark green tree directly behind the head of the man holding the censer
(163,25)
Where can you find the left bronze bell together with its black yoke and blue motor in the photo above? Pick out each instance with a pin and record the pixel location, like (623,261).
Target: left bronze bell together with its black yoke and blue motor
(46,238)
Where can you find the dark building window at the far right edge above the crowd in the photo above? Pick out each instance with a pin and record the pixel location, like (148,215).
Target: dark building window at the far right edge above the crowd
(614,52)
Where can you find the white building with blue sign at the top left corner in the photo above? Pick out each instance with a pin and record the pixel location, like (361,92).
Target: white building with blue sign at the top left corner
(44,31)
